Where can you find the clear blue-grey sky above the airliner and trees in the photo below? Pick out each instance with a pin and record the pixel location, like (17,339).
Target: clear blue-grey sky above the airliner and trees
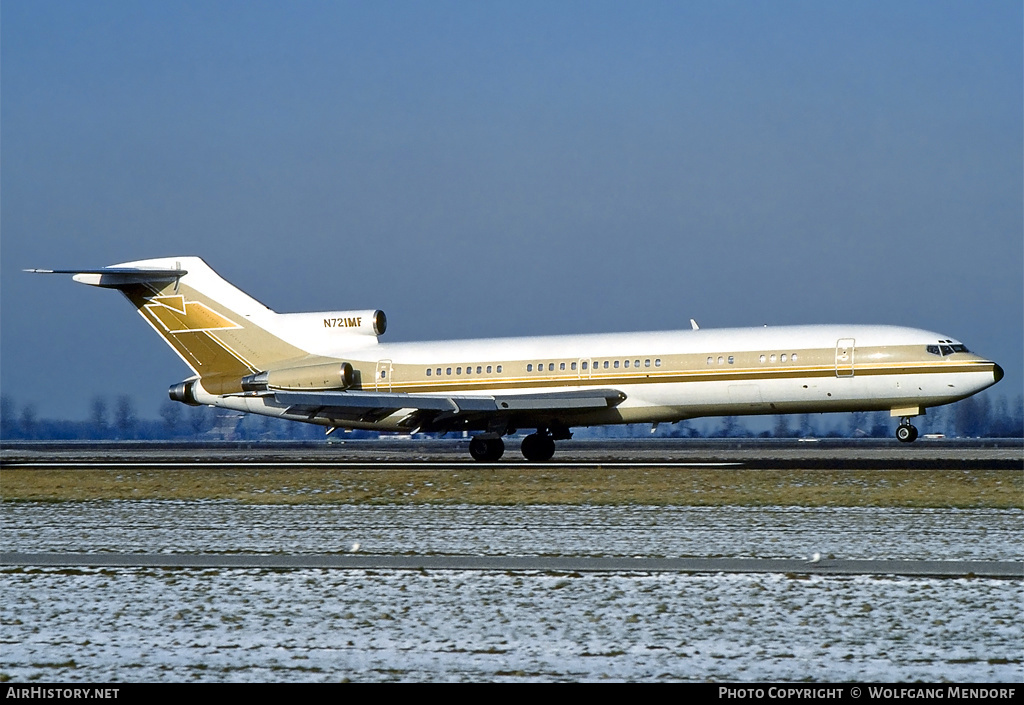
(493,169)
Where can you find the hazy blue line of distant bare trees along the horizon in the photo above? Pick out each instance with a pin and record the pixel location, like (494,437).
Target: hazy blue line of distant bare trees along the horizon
(978,417)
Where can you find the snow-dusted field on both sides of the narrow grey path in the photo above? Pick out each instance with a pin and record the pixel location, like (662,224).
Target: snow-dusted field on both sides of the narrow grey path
(148,625)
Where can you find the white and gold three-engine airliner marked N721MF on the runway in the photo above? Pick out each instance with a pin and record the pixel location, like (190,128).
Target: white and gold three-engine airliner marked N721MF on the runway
(330,368)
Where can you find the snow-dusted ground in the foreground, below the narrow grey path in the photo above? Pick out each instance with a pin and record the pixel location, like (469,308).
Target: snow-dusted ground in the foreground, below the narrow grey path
(152,626)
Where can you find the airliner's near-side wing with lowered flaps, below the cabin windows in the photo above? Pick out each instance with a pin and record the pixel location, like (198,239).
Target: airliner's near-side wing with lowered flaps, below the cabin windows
(441,412)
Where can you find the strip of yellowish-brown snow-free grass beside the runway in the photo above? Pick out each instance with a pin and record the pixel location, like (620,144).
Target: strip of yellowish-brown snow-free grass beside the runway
(647,486)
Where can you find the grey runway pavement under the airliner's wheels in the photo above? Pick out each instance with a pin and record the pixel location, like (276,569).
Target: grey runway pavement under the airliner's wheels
(433,453)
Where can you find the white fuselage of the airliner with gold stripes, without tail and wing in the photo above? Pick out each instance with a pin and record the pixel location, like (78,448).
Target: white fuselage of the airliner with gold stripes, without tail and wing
(672,376)
